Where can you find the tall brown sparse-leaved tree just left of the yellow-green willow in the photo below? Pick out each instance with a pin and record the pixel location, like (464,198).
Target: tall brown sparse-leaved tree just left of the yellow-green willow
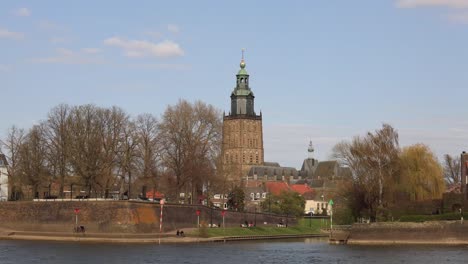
(373,161)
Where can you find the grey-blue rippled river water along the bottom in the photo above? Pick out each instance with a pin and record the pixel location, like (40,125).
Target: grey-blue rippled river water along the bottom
(290,251)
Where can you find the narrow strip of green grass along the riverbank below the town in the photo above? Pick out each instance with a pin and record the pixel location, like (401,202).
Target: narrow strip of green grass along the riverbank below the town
(303,227)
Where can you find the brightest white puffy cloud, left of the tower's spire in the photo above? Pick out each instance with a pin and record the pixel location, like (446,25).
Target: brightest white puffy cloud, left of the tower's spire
(142,48)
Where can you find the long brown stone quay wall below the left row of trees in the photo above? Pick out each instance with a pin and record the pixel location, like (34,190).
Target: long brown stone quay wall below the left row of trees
(118,216)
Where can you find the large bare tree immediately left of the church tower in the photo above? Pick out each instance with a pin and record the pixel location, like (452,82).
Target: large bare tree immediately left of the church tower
(190,136)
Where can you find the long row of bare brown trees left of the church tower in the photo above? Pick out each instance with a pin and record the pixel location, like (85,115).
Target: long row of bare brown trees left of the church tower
(102,151)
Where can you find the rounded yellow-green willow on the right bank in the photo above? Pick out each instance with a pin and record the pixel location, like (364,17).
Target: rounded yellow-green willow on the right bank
(421,174)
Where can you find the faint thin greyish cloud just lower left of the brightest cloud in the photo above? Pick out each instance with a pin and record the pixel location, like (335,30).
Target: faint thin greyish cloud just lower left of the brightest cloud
(66,56)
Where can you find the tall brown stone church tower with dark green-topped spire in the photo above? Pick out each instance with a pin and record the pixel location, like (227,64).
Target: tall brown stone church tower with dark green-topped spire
(242,131)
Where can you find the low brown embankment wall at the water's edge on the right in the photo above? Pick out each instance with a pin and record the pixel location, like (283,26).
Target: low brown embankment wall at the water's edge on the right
(434,232)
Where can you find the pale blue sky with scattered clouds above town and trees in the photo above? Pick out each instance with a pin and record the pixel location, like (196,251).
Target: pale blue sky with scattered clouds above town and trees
(324,71)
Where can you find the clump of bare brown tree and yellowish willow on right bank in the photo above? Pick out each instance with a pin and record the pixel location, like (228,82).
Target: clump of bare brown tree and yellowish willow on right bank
(384,174)
